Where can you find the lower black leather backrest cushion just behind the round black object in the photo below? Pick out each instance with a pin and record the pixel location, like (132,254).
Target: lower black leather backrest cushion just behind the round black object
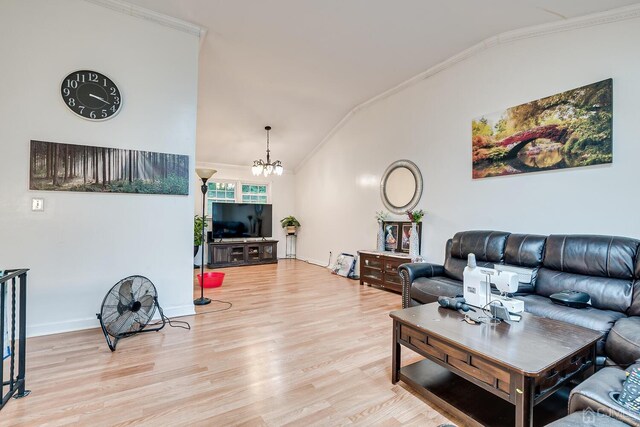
(606,293)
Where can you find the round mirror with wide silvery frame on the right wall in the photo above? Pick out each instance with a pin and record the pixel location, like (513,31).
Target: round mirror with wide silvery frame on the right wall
(401,186)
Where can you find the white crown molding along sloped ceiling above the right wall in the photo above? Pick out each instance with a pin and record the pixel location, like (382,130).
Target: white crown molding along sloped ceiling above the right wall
(592,20)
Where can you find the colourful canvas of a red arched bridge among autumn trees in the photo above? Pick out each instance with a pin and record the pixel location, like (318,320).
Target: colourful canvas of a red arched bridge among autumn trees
(566,130)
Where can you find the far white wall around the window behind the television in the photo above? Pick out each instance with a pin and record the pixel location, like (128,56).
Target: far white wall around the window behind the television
(282,196)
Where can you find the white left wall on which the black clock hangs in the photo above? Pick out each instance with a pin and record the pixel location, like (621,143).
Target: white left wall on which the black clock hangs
(83,243)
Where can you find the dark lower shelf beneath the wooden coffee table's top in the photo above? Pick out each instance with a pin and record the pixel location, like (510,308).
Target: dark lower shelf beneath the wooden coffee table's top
(472,403)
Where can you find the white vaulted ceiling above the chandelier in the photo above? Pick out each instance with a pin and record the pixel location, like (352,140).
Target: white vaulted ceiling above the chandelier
(302,65)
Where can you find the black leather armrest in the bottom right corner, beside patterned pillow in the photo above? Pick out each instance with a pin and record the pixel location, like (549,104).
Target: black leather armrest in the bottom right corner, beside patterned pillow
(593,394)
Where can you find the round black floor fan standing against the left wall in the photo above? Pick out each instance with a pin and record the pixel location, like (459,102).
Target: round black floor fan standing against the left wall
(127,309)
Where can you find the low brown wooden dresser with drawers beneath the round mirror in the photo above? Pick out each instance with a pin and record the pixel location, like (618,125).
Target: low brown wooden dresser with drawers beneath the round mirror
(381,269)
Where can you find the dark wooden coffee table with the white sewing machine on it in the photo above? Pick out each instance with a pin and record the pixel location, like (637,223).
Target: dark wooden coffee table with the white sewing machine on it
(522,363)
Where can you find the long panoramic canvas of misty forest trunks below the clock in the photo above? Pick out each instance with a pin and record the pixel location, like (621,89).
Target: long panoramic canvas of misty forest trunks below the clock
(68,167)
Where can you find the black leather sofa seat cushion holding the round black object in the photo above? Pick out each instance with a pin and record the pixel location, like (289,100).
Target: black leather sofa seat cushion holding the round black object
(592,318)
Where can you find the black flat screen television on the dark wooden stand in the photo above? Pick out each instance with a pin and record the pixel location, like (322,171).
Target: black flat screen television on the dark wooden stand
(241,220)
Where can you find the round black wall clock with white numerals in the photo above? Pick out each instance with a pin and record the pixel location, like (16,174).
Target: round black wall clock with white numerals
(91,95)
